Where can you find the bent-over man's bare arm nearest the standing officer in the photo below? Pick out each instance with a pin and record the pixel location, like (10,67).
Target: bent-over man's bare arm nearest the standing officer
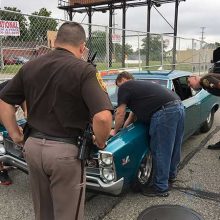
(119,119)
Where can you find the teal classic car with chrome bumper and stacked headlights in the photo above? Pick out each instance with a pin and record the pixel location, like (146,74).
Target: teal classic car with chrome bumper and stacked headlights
(127,161)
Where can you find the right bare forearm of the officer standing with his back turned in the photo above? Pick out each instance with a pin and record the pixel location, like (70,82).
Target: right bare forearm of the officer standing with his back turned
(102,123)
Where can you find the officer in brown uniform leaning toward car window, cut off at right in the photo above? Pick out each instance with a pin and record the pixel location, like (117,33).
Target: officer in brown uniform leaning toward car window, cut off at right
(211,83)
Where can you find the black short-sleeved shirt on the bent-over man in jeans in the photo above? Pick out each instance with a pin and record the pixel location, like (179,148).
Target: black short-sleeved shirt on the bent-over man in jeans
(144,98)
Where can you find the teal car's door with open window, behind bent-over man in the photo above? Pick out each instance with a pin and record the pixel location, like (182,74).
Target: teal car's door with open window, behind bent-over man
(191,104)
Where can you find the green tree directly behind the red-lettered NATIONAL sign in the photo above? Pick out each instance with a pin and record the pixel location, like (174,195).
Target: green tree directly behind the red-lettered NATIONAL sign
(11,16)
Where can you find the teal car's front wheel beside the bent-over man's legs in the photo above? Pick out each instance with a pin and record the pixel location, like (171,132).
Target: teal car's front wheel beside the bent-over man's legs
(144,174)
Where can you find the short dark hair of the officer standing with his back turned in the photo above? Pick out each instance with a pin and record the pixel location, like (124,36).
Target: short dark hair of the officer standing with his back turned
(71,33)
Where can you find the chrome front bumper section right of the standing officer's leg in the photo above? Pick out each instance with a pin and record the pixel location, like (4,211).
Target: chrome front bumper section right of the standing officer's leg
(95,183)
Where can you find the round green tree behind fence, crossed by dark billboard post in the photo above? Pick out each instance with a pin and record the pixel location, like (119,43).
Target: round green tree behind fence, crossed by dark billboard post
(155,47)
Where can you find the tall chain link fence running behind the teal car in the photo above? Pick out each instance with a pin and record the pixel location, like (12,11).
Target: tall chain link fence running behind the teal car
(141,50)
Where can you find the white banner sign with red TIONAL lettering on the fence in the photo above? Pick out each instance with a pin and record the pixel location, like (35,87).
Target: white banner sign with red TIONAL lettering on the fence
(9,28)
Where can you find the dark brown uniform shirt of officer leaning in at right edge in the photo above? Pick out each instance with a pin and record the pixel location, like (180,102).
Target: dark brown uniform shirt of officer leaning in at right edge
(209,83)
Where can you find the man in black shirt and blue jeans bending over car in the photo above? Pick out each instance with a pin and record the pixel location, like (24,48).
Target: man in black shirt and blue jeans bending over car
(162,108)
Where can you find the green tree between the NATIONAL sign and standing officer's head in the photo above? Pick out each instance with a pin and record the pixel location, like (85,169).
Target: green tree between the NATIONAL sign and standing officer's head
(39,26)
